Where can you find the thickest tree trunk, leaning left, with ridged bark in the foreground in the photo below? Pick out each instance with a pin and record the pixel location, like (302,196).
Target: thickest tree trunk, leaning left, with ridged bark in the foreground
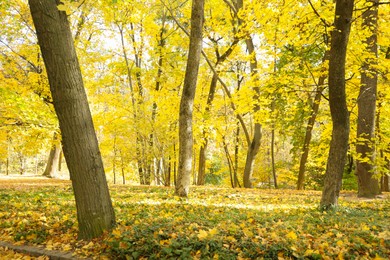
(94,208)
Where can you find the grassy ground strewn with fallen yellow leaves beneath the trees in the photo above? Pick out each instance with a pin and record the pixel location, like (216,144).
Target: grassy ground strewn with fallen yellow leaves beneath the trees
(213,223)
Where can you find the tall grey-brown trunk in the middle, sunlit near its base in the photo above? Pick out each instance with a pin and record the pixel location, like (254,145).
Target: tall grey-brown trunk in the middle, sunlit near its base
(187,100)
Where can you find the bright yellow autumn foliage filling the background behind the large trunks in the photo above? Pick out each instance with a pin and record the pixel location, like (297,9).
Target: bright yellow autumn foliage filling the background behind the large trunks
(133,57)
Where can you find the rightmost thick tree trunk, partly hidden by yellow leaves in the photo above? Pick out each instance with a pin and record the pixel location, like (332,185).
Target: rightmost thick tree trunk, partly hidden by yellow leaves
(368,186)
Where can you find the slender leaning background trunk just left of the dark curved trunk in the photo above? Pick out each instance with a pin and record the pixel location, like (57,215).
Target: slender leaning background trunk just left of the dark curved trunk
(308,133)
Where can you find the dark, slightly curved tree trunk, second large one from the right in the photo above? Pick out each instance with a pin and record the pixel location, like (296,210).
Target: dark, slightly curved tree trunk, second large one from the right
(338,105)
